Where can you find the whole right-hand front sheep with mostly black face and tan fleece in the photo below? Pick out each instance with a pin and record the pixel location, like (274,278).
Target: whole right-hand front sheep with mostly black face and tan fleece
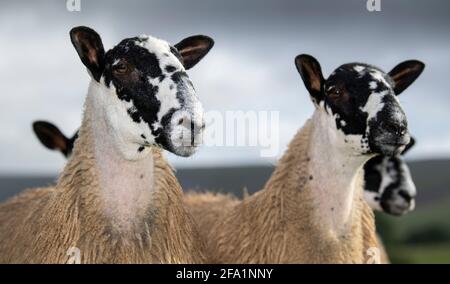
(311,210)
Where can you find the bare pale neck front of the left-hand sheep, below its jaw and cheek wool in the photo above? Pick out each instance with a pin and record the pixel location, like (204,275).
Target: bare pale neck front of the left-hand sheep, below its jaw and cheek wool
(125,188)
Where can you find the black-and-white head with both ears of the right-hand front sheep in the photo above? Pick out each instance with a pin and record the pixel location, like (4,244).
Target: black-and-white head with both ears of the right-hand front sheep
(361,104)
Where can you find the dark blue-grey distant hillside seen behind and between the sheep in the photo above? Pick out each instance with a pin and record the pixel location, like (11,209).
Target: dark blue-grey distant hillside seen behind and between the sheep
(432,179)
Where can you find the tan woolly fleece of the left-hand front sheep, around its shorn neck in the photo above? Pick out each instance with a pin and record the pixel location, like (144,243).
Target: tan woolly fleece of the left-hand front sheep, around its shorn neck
(41,225)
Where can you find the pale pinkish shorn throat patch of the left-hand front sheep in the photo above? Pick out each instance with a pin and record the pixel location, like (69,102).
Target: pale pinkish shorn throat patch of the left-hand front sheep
(126,186)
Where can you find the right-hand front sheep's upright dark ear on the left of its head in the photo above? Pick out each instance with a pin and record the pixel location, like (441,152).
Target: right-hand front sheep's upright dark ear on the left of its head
(311,73)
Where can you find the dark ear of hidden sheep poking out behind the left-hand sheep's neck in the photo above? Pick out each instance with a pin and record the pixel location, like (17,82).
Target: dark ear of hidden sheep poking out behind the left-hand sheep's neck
(50,136)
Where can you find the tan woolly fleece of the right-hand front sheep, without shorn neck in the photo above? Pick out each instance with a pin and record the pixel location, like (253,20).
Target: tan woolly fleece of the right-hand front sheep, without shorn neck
(277,224)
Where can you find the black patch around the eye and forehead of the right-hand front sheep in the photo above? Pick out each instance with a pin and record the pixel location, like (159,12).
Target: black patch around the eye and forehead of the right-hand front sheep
(346,91)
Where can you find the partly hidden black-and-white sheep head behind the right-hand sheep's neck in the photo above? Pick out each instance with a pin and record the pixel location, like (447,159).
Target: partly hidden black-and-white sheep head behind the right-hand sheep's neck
(389,186)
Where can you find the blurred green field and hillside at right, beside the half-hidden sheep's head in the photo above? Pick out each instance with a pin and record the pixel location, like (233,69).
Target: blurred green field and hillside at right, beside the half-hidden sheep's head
(422,236)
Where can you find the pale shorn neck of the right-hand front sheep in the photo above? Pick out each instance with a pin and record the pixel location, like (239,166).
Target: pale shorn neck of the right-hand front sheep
(334,170)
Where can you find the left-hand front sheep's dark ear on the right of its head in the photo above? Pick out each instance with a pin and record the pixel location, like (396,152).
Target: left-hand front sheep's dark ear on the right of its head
(193,49)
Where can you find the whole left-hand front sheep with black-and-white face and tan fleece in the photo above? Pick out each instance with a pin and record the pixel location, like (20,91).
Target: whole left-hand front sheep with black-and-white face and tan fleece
(117,199)
